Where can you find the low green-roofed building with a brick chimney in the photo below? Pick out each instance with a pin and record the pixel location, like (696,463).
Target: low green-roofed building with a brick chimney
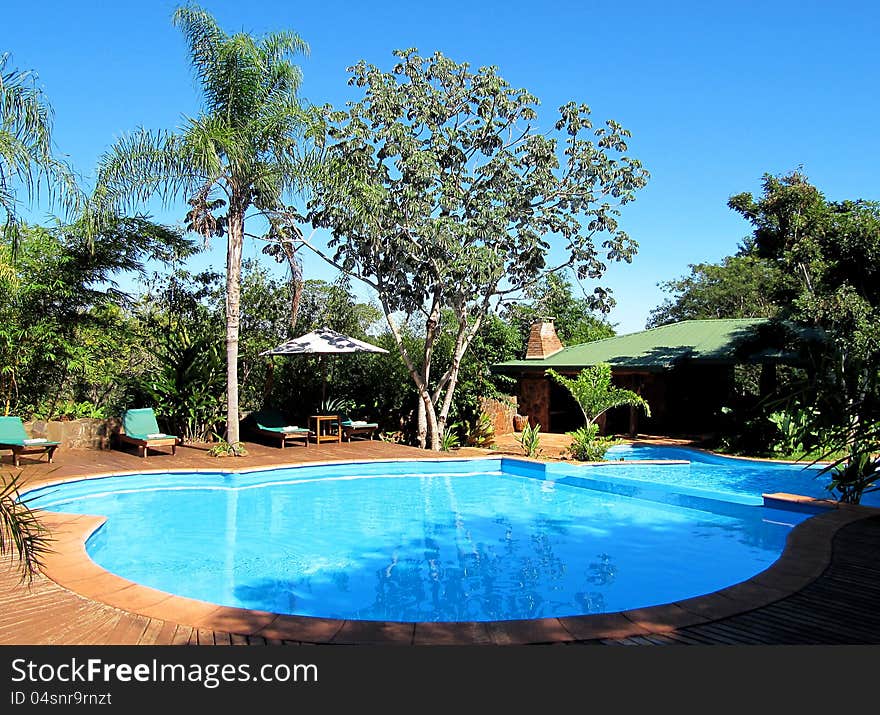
(684,370)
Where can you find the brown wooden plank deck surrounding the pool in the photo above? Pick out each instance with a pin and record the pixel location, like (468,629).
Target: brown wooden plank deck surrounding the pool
(835,607)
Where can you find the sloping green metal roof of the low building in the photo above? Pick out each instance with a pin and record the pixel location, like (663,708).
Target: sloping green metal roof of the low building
(707,341)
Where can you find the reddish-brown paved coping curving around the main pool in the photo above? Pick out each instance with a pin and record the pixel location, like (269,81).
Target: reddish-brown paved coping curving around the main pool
(806,554)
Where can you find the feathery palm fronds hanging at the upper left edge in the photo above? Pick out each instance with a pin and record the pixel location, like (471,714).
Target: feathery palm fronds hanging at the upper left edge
(26,157)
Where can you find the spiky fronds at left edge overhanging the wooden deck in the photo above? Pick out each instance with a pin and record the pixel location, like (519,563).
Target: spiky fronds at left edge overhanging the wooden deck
(22,535)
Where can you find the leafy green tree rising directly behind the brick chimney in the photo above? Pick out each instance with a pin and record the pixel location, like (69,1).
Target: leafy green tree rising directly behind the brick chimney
(575,319)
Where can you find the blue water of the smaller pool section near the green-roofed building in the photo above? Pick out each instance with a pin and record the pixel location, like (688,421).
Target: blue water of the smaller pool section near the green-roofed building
(727,474)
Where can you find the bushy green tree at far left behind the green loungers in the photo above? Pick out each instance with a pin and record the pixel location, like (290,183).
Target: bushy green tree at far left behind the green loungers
(63,333)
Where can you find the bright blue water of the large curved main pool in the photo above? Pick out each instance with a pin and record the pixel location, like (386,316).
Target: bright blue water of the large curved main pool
(484,539)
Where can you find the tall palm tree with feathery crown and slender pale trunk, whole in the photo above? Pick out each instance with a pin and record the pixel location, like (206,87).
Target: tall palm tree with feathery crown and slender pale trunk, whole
(242,152)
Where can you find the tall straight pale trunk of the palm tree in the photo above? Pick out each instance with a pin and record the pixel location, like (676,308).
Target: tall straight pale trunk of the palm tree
(234,243)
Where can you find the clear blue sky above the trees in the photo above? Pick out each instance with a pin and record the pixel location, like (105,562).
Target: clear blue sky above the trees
(714,94)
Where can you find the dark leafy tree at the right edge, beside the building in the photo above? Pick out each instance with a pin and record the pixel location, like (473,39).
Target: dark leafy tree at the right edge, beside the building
(832,251)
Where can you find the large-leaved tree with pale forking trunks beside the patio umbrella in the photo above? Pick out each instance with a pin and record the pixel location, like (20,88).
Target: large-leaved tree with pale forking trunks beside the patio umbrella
(446,195)
